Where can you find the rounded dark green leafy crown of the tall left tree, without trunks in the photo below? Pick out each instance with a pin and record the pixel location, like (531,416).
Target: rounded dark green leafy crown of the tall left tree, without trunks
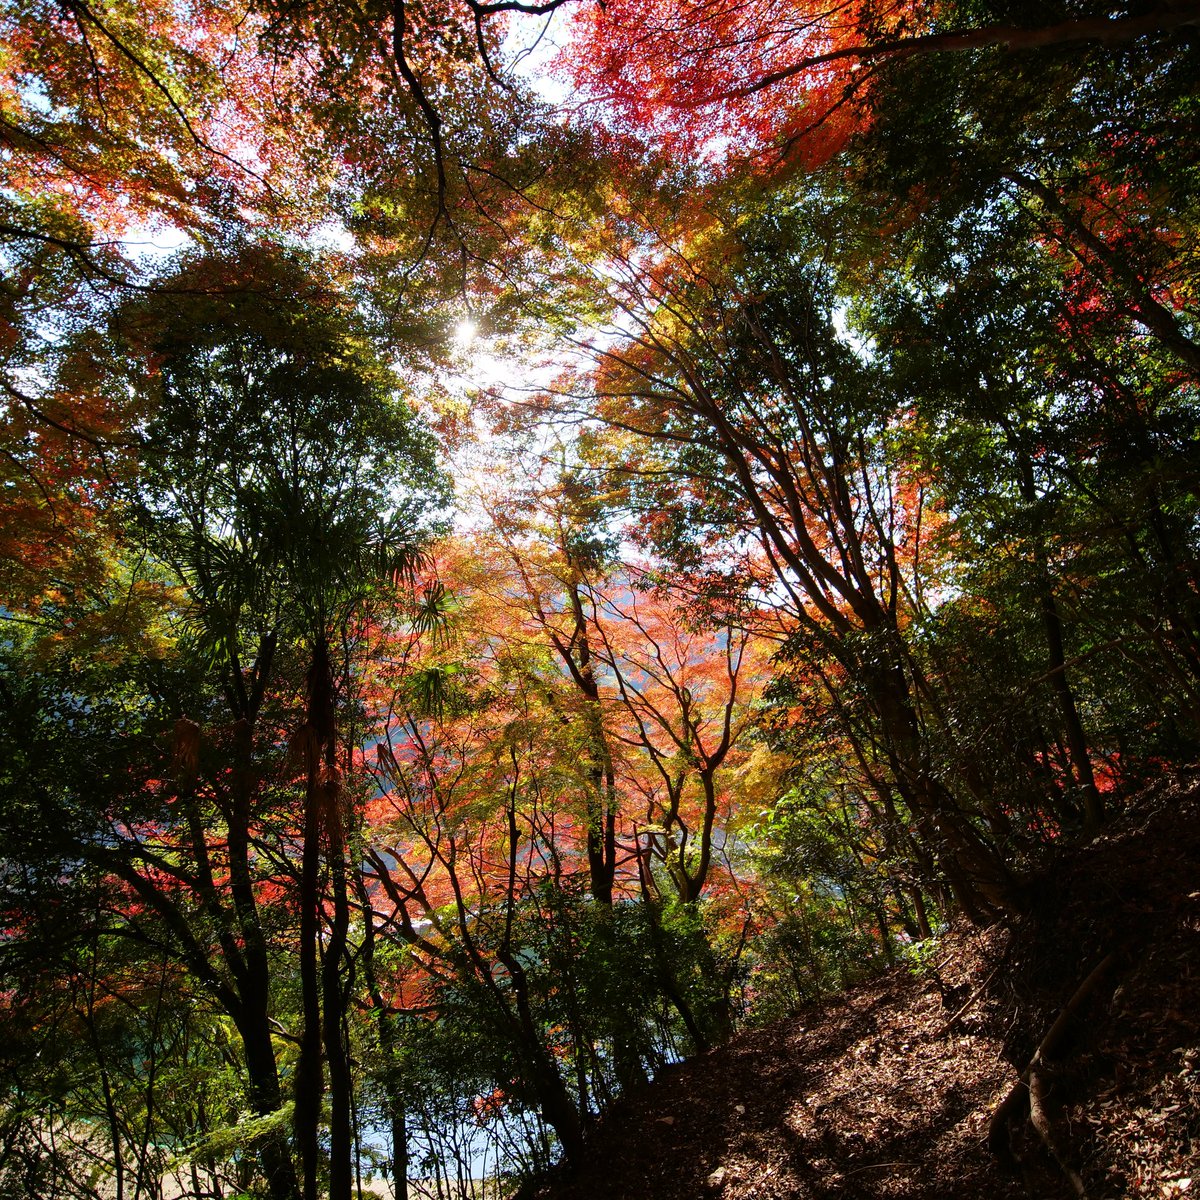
(284,473)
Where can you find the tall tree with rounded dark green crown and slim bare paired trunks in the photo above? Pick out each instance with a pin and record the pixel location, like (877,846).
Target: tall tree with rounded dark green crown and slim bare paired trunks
(292,523)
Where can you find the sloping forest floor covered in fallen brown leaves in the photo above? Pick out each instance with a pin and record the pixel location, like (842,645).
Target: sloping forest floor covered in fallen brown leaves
(890,1090)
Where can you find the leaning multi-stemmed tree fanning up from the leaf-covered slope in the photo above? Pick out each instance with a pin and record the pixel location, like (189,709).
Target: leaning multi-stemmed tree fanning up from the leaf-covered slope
(770,435)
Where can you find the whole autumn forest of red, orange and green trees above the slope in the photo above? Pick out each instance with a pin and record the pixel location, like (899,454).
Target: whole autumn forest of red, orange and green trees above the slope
(541,536)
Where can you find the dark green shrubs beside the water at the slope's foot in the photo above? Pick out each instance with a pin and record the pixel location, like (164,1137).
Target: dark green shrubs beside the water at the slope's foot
(607,991)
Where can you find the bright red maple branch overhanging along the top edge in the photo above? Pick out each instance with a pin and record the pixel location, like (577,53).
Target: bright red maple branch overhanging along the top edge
(765,87)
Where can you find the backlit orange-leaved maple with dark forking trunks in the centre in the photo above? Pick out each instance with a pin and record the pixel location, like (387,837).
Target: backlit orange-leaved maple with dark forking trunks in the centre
(665,703)
